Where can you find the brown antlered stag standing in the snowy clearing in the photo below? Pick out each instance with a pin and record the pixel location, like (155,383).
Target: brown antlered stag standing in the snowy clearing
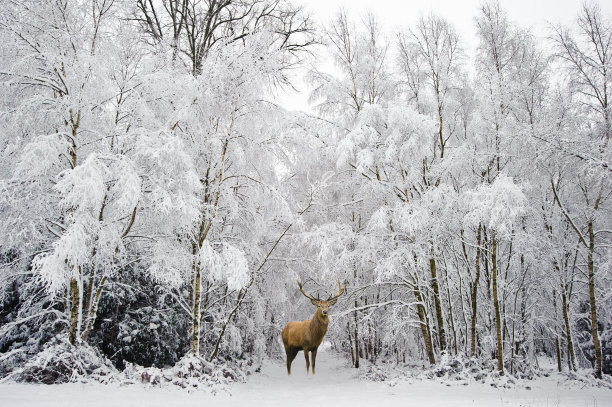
(307,335)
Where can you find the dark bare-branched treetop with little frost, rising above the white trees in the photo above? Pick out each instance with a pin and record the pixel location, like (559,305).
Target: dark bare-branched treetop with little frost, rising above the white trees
(193,29)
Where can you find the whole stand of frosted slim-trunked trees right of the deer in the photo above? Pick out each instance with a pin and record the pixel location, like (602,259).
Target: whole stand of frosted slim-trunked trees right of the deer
(471,196)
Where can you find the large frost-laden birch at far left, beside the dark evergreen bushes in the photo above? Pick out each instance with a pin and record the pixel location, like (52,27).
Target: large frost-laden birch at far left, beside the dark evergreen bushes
(83,162)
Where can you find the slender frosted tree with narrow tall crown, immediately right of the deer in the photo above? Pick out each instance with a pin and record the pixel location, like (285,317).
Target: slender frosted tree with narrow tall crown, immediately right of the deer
(363,80)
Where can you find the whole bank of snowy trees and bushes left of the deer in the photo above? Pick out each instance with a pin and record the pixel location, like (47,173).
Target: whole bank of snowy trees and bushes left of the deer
(141,196)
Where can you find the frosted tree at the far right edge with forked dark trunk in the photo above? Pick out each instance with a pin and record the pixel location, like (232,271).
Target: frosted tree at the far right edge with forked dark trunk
(583,193)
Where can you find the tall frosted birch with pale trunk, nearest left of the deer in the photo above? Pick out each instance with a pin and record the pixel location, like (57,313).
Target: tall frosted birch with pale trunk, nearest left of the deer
(232,136)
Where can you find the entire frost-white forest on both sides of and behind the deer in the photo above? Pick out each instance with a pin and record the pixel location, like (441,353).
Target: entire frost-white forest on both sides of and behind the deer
(159,204)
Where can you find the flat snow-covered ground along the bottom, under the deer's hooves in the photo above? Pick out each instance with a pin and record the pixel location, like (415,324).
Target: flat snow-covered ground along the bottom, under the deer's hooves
(335,384)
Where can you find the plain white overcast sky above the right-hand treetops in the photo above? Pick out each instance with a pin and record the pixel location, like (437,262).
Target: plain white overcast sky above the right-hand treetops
(536,14)
